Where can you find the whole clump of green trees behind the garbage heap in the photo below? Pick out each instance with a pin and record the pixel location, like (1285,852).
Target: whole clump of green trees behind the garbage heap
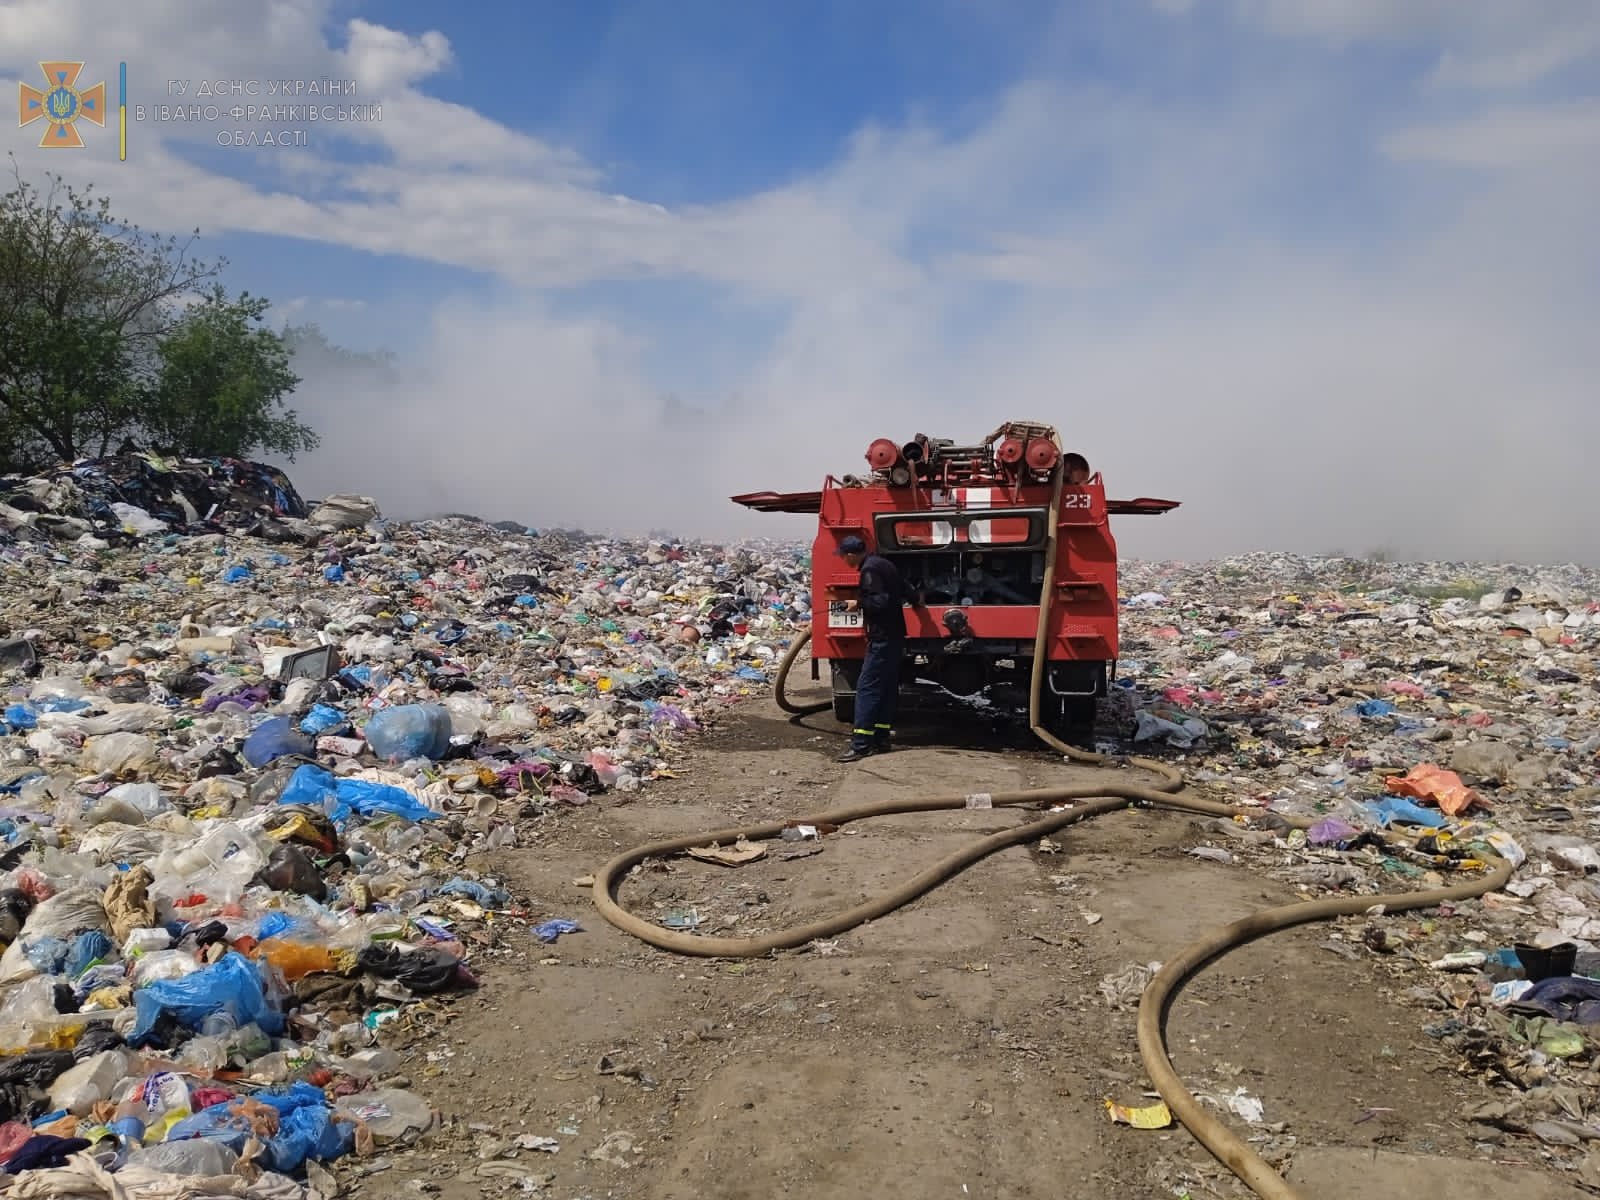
(87,308)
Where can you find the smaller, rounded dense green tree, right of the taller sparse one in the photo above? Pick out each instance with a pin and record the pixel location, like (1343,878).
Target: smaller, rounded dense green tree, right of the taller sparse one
(223,383)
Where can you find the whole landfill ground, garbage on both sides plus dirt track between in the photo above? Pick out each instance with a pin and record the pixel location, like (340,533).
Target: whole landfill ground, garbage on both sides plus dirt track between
(303,810)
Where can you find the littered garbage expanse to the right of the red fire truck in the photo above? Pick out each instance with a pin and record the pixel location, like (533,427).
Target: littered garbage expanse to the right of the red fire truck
(1428,716)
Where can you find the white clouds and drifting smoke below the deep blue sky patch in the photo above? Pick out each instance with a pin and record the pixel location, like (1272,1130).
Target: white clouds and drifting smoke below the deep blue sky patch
(1394,358)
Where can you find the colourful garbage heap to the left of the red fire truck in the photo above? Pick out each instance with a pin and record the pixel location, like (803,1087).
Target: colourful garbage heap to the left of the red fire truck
(242,780)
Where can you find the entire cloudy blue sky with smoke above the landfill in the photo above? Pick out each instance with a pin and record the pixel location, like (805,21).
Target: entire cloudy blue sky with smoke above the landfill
(1242,252)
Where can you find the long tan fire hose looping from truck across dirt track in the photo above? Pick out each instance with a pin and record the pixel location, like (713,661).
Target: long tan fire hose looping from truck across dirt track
(1087,801)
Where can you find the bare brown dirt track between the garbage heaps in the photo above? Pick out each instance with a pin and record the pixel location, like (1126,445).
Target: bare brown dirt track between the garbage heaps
(961,1047)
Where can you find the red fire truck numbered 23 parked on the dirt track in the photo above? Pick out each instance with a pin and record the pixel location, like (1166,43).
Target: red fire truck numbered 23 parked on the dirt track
(970,529)
